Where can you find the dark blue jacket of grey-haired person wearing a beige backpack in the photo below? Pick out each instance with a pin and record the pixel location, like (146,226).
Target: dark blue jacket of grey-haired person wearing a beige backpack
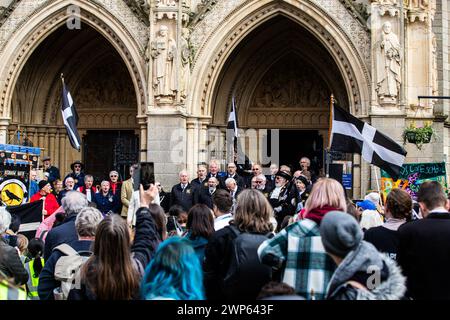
(47,280)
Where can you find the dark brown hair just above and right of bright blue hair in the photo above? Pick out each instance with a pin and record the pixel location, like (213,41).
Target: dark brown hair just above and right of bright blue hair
(200,221)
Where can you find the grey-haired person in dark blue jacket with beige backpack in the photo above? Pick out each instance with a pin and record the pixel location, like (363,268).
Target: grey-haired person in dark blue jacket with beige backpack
(86,224)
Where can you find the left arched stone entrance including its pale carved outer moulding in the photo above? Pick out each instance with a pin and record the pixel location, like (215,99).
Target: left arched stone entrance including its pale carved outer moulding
(104,69)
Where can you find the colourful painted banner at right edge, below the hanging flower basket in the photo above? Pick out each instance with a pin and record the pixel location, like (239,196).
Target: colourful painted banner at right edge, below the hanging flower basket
(412,175)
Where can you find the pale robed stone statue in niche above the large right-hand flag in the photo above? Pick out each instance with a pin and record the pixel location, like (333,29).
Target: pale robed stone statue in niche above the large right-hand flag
(388,65)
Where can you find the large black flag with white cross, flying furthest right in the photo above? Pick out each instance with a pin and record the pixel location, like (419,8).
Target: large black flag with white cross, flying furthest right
(349,134)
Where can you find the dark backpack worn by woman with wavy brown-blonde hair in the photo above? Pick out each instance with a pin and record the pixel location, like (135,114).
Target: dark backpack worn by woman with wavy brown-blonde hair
(246,274)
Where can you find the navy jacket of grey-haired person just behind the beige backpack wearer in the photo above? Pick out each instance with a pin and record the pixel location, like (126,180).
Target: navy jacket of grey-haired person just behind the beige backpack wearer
(64,233)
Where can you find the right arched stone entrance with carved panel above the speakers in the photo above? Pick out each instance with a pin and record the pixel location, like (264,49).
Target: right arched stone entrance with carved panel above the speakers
(244,55)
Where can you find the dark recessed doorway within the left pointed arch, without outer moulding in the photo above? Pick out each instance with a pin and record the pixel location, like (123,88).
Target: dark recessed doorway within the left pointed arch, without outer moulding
(102,89)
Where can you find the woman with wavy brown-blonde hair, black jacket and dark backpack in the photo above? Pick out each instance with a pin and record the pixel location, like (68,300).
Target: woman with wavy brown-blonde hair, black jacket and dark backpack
(224,276)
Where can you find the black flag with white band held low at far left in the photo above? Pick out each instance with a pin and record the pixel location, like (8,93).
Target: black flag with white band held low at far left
(30,215)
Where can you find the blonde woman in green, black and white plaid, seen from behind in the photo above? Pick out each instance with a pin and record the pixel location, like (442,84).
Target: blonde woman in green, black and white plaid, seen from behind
(298,251)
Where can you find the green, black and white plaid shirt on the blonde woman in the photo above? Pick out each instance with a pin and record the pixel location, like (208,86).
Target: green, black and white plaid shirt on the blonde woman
(308,267)
